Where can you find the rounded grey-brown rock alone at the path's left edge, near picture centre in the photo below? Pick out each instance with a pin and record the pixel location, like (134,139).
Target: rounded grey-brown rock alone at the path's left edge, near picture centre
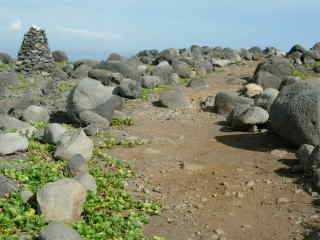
(174,99)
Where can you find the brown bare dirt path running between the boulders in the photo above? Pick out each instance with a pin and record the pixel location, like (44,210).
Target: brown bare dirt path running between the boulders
(209,179)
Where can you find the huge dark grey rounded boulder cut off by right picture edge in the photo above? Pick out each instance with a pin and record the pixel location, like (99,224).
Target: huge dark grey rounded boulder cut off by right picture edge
(295,113)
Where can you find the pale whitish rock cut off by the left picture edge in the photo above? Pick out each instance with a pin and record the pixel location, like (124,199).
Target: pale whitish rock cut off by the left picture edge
(12,142)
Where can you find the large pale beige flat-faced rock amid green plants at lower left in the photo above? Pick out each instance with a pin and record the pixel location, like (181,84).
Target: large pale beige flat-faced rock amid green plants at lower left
(61,200)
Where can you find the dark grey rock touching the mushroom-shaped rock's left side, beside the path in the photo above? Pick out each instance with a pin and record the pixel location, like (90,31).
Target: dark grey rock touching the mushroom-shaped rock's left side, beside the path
(226,101)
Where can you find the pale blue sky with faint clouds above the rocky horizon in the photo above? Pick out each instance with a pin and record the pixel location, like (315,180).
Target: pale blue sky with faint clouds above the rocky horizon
(97,27)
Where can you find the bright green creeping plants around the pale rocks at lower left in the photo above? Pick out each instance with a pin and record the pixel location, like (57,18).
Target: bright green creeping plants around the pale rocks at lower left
(111,213)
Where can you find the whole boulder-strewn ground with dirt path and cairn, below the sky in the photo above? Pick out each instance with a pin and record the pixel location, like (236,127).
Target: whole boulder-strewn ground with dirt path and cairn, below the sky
(196,143)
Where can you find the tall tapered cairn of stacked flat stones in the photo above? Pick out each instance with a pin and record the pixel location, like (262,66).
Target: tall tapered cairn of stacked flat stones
(34,55)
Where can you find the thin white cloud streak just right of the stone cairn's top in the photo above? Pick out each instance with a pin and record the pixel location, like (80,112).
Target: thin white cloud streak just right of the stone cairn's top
(90,34)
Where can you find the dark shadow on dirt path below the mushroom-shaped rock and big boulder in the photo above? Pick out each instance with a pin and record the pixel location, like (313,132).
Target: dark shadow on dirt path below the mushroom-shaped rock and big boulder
(260,142)
